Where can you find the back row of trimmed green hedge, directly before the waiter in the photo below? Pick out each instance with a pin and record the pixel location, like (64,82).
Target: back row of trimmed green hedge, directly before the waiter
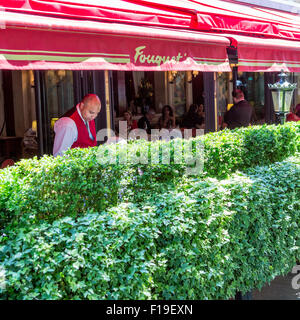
(67,186)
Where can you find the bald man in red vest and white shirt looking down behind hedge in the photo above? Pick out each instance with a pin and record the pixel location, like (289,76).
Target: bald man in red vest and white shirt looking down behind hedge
(76,128)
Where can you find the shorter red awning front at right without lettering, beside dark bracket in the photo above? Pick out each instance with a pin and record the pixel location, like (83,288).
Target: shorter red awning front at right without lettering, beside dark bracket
(267,55)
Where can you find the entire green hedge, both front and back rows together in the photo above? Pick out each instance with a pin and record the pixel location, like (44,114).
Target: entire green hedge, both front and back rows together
(72,228)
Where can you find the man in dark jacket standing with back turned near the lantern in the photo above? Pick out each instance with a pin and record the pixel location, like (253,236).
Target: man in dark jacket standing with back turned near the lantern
(241,113)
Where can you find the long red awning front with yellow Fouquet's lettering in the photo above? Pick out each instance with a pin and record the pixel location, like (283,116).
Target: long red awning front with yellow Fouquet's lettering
(37,42)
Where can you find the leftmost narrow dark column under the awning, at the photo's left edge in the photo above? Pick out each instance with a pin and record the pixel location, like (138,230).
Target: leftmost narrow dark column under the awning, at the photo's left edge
(8,103)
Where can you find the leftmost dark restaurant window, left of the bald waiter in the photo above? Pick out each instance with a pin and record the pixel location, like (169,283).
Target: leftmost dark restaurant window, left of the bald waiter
(18,138)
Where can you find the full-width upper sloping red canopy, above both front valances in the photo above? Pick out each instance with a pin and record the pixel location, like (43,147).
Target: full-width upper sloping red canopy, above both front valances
(210,15)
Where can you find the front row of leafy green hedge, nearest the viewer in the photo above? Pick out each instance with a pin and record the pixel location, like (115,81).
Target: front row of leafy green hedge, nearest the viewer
(203,239)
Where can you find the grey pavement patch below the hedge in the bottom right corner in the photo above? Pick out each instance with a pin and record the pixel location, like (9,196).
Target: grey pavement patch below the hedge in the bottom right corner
(279,289)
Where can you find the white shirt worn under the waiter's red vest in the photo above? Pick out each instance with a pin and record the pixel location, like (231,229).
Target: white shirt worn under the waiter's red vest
(66,134)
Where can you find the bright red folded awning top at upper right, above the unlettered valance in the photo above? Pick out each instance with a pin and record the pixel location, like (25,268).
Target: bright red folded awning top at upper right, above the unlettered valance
(232,17)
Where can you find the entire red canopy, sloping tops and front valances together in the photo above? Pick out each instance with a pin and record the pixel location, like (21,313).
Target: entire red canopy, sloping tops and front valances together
(91,34)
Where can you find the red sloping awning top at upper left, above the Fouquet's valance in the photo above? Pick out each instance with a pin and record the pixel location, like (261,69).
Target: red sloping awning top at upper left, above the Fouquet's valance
(121,11)
